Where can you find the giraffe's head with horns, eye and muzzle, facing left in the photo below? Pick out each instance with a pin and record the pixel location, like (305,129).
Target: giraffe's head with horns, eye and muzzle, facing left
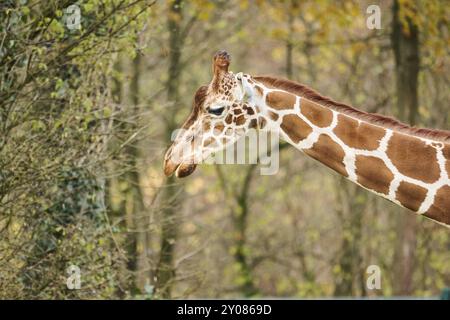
(219,117)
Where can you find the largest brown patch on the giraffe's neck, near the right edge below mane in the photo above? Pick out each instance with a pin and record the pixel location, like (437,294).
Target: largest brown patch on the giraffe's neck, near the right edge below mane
(413,158)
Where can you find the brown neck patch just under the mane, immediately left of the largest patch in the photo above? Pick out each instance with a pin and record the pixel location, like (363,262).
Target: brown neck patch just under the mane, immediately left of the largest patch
(358,135)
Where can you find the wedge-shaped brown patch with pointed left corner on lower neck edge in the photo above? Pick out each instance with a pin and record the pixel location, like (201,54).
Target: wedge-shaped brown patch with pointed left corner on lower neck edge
(329,153)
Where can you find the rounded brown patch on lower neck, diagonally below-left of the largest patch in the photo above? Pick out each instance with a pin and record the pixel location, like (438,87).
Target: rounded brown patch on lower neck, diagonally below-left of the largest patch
(373,174)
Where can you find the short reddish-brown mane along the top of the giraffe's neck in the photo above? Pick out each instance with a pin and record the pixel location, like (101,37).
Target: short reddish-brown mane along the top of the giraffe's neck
(374,118)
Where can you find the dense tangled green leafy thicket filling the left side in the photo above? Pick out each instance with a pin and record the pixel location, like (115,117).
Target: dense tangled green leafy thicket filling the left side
(55,121)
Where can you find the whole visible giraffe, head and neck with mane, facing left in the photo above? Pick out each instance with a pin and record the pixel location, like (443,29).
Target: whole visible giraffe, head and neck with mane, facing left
(405,165)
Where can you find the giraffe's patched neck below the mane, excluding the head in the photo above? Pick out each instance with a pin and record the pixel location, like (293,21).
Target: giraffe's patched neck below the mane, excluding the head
(408,170)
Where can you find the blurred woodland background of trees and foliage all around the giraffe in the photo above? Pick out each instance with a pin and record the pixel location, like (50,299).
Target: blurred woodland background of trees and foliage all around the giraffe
(86,115)
